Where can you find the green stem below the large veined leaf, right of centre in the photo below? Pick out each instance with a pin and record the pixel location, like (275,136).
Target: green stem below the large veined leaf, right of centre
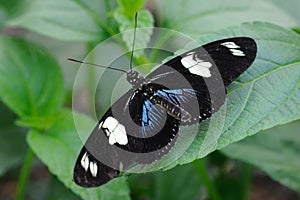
(205,179)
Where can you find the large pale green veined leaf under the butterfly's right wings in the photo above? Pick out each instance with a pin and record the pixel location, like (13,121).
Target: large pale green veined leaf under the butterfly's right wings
(264,96)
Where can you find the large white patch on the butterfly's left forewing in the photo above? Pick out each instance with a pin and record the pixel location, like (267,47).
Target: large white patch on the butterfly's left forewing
(115,131)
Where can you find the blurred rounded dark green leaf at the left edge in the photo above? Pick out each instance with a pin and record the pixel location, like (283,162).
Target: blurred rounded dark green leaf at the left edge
(31,82)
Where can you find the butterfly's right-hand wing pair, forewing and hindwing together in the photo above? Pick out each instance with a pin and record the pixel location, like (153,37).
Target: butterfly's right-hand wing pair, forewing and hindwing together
(205,71)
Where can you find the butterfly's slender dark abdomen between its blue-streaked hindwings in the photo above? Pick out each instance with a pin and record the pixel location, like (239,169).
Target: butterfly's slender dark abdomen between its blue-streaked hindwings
(172,109)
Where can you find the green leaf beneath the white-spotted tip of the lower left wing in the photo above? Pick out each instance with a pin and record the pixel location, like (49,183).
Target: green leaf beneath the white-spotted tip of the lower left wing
(59,150)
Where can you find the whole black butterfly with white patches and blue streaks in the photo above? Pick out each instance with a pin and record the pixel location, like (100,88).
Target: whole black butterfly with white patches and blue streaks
(145,121)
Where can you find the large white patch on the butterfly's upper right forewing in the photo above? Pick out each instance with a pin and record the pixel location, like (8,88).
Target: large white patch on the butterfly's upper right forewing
(195,65)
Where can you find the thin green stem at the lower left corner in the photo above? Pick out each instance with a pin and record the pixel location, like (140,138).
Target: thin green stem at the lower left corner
(24,175)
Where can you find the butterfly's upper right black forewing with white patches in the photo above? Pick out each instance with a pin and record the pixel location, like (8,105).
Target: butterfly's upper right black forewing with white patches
(228,58)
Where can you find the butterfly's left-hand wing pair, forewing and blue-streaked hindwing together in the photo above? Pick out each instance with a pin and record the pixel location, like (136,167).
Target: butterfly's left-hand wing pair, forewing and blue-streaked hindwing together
(132,131)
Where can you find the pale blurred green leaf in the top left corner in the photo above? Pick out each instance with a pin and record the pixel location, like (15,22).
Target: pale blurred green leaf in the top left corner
(70,20)
